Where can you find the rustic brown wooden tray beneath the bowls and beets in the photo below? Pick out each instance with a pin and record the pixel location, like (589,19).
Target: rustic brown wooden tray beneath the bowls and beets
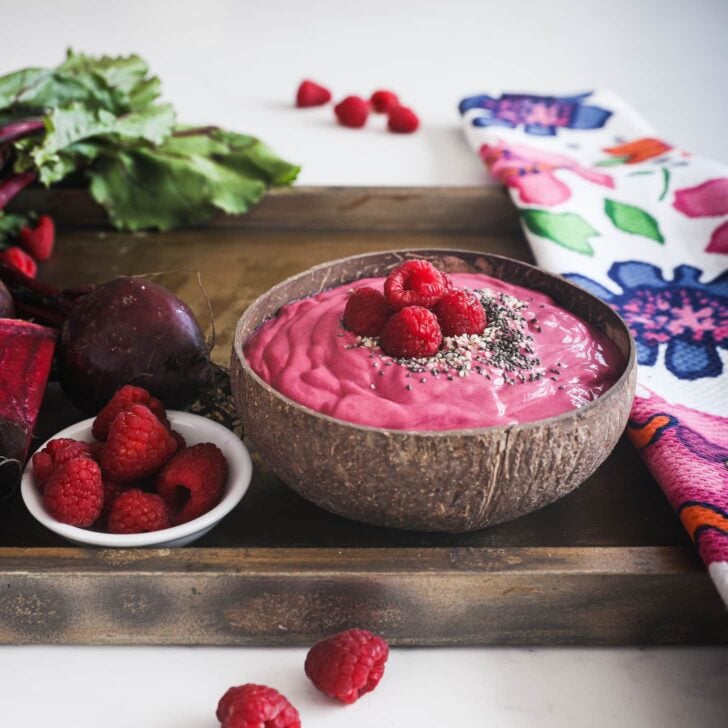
(609,564)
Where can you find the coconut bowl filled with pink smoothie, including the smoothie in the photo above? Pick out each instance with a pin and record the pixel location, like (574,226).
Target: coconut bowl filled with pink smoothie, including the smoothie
(481,428)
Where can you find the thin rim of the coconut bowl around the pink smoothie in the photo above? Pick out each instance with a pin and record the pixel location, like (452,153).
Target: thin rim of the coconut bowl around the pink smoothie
(579,412)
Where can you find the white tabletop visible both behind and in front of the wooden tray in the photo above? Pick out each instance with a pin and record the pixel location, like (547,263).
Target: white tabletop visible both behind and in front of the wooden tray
(238,64)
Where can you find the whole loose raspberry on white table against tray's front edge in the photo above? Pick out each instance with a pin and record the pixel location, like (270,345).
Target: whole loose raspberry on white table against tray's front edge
(348,665)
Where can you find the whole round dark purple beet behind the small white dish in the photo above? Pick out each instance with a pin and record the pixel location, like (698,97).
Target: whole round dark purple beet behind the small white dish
(132,331)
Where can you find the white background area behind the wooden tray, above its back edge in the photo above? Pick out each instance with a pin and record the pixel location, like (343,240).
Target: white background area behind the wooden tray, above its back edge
(239,63)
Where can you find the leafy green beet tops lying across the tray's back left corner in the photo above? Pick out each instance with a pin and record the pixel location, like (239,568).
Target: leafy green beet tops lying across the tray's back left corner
(100,119)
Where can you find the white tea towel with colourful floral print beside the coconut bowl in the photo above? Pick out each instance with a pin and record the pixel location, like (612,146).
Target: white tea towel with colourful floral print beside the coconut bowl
(610,205)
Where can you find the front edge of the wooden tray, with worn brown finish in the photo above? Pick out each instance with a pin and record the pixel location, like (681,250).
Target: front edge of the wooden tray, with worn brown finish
(543,596)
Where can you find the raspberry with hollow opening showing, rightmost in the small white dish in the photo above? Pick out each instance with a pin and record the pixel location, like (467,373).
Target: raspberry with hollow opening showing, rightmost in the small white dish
(192,481)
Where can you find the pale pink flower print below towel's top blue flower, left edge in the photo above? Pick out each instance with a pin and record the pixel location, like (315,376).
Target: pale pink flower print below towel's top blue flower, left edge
(531,172)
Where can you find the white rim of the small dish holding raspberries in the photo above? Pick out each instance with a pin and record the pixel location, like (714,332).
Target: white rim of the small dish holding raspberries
(235,451)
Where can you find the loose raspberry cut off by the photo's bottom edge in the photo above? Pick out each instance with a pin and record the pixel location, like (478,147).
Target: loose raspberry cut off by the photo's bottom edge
(256,706)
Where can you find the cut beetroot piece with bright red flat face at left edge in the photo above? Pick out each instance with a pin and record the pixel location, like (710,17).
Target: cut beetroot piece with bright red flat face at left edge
(26,353)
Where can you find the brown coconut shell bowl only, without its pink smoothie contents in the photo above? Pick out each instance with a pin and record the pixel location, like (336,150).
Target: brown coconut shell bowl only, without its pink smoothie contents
(450,480)
